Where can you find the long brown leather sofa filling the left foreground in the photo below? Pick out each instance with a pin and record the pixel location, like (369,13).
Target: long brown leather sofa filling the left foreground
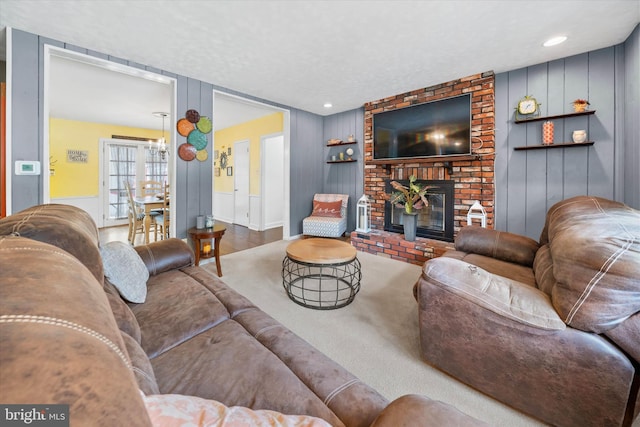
(68,337)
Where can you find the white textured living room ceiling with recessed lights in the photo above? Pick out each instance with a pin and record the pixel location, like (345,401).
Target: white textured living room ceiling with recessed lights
(305,53)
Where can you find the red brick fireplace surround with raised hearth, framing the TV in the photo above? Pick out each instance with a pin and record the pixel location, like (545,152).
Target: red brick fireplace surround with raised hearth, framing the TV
(472,176)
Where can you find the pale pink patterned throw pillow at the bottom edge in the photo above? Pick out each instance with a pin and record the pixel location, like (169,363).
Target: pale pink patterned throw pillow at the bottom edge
(178,410)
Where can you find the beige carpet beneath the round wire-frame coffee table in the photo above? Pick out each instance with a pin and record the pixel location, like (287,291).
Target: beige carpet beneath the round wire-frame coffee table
(375,337)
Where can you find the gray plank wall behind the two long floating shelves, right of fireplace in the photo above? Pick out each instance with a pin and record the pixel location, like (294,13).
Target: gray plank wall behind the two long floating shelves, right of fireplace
(528,183)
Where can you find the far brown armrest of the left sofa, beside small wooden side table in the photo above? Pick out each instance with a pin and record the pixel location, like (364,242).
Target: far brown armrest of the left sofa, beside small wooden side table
(165,255)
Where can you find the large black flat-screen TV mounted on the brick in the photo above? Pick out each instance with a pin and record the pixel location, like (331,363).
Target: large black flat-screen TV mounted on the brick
(437,128)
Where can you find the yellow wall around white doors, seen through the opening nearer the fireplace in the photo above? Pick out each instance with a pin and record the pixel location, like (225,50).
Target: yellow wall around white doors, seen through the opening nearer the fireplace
(251,131)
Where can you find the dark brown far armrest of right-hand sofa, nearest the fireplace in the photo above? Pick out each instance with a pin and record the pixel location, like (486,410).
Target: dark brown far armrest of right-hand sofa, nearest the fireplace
(497,244)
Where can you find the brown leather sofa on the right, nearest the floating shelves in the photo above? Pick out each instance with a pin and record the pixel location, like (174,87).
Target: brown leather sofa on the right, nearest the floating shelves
(551,328)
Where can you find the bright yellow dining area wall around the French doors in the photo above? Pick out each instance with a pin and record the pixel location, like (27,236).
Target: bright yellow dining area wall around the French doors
(82,179)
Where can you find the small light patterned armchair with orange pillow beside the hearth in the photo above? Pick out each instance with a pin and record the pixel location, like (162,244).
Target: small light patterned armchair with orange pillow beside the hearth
(329,216)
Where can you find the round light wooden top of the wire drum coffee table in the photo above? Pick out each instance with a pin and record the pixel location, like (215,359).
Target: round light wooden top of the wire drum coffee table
(321,251)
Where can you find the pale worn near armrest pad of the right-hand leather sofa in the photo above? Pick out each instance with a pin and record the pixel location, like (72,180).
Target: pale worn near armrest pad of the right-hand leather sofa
(505,297)
